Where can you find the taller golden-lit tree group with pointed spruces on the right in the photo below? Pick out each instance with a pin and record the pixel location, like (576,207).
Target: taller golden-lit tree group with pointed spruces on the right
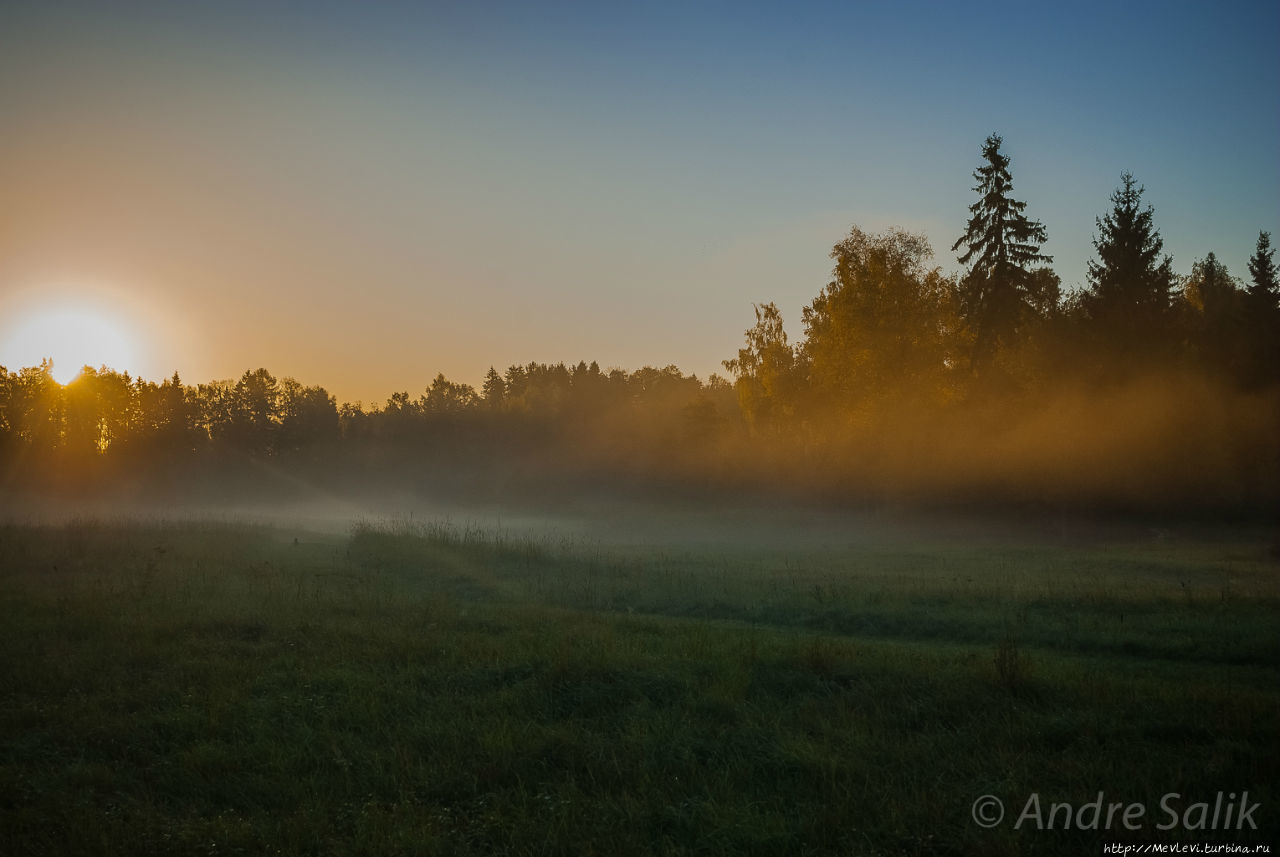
(892,331)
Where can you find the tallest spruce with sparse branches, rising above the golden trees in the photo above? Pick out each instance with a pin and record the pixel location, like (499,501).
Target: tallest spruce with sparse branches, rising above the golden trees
(1002,245)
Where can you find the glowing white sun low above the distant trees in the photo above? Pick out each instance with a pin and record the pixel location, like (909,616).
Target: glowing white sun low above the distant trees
(74,337)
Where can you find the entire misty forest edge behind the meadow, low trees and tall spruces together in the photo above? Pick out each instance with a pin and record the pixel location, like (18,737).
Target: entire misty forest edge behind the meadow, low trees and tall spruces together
(1148,388)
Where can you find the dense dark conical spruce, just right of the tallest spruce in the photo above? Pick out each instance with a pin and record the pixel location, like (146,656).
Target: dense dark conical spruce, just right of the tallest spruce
(1131,286)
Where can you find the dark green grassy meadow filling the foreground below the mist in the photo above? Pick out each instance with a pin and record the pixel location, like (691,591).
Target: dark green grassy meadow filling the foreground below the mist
(406,689)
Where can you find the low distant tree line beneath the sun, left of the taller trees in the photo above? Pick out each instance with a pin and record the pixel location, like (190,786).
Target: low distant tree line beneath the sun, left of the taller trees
(108,416)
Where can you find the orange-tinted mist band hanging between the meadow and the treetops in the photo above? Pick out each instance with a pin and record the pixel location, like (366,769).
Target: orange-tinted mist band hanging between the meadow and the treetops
(1177,446)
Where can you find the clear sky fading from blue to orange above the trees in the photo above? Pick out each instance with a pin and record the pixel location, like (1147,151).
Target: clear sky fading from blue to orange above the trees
(365,195)
